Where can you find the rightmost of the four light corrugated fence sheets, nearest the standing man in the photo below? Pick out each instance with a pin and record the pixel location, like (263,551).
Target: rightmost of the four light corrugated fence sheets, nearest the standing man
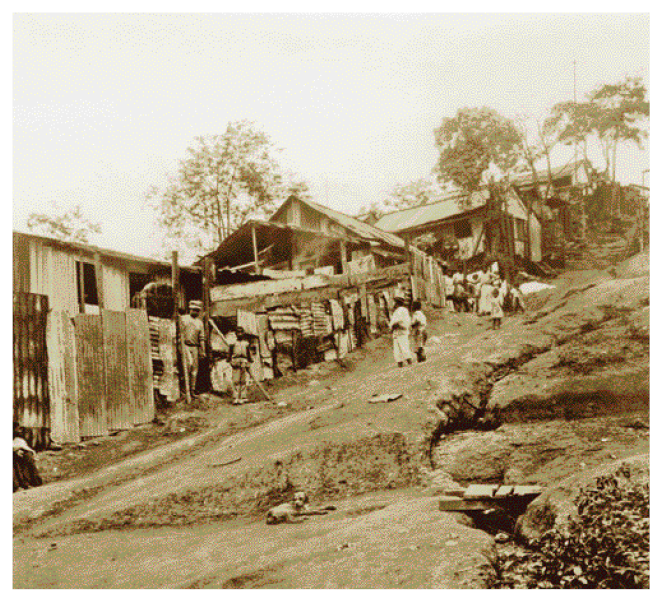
(140,365)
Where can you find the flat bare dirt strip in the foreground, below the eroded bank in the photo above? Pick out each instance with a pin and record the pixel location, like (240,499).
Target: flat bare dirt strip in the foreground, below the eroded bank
(385,540)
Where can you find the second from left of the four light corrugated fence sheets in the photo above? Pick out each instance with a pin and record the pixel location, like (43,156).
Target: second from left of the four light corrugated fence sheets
(90,367)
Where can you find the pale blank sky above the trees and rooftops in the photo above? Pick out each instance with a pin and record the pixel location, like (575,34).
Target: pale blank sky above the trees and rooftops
(105,105)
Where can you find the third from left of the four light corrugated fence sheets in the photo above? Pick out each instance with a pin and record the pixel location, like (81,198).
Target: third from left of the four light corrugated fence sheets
(119,410)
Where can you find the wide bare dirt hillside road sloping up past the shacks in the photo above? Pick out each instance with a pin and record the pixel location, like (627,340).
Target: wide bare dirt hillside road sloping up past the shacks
(191,513)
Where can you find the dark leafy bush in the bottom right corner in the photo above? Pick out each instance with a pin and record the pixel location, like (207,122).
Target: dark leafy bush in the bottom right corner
(606,546)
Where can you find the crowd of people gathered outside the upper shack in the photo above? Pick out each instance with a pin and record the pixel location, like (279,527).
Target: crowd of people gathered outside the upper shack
(485,293)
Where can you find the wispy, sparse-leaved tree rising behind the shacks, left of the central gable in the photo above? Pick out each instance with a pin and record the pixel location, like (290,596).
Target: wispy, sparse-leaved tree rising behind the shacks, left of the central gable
(223,180)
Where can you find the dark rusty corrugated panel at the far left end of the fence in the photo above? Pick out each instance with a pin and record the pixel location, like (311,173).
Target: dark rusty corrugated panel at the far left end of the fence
(31,404)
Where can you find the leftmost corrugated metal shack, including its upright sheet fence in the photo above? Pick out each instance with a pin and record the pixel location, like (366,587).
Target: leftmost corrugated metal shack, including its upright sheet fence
(82,362)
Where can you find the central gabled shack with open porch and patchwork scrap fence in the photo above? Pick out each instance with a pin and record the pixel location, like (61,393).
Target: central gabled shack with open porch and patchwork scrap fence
(311,284)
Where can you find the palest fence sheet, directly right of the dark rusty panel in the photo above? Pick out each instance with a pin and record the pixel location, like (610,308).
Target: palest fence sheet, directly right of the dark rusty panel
(60,342)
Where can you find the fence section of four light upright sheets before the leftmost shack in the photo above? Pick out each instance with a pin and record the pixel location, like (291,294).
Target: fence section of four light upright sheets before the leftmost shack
(100,373)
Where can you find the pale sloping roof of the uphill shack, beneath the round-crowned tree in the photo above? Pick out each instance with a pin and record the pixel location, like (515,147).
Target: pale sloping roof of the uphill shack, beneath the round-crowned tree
(414,217)
